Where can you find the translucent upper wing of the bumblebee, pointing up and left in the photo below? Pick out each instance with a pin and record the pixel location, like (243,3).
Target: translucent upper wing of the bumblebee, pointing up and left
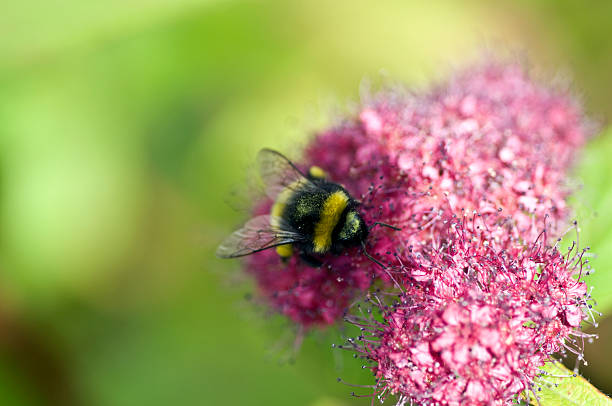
(278,173)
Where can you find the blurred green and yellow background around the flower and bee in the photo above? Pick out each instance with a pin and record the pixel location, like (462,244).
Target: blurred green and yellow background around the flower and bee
(124,127)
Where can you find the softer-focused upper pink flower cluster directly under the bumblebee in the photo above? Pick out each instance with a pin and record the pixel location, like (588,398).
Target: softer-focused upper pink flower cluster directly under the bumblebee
(490,139)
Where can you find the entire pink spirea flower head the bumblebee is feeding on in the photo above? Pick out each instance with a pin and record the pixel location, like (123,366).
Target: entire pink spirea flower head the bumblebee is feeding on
(474,172)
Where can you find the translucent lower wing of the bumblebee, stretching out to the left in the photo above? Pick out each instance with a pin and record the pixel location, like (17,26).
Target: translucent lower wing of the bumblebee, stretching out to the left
(256,235)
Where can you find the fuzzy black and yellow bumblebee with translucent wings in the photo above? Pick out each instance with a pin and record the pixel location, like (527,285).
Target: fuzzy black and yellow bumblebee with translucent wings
(310,216)
